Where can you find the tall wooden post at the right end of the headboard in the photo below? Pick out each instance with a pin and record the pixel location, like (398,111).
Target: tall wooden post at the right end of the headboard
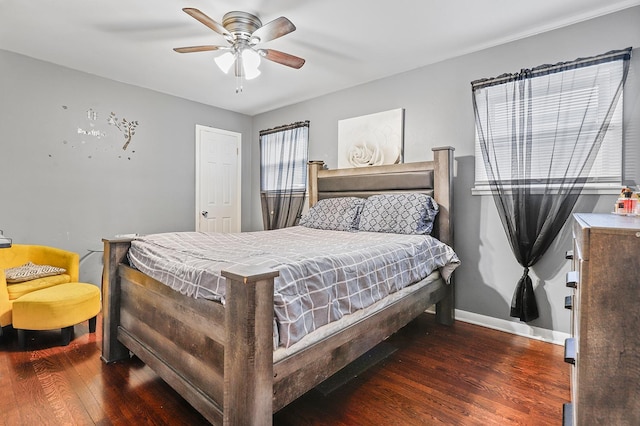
(443,192)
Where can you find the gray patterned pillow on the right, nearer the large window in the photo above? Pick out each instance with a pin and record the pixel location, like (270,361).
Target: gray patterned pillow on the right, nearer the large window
(404,213)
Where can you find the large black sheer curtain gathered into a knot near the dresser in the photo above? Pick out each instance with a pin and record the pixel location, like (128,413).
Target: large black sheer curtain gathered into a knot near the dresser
(535,187)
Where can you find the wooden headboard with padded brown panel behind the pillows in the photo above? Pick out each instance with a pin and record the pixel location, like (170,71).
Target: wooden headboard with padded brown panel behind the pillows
(434,178)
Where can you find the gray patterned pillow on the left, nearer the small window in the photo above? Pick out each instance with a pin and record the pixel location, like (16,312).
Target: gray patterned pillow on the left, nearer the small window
(337,214)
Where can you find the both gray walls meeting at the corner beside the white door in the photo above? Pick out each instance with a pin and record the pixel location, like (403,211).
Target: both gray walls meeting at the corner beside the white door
(62,188)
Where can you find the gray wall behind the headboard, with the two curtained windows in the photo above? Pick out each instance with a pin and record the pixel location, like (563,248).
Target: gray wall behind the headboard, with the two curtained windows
(438,111)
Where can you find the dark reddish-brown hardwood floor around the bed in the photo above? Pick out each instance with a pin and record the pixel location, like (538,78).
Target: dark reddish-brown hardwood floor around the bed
(459,375)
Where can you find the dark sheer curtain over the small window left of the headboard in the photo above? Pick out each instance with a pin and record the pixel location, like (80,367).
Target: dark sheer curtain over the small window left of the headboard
(283,174)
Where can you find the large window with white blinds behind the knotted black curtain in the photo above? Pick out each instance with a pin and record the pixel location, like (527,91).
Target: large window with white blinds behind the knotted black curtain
(555,117)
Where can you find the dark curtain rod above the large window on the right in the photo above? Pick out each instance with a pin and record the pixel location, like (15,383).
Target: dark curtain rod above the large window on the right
(613,55)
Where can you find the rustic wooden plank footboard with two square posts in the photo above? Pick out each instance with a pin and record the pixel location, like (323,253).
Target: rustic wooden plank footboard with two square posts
(220,359)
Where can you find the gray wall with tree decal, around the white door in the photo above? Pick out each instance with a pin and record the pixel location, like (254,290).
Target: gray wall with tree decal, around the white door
(67,189)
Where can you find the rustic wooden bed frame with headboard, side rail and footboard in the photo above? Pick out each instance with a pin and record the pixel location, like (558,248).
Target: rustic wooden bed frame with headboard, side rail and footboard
(220,357)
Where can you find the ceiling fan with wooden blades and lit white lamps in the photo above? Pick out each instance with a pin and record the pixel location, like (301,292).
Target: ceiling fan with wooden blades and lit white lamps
(243,32)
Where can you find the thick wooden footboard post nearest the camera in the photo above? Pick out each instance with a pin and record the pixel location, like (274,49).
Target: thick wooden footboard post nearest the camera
(248,352)
